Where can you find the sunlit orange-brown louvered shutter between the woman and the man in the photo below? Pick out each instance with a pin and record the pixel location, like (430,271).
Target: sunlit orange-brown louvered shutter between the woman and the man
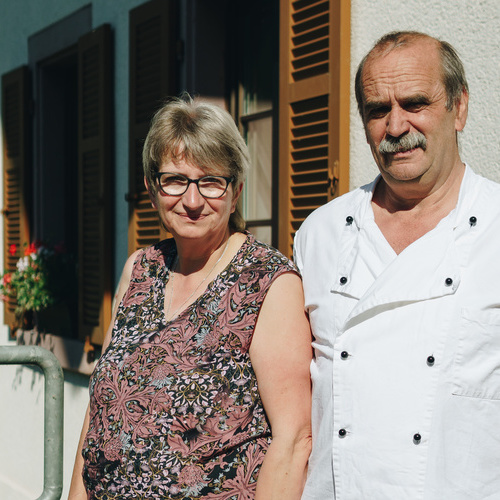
(314,109)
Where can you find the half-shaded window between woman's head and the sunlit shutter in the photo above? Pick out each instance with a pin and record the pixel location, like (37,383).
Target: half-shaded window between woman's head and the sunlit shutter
(256,83)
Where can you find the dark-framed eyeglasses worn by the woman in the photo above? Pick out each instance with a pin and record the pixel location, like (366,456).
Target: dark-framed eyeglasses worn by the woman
(209,186)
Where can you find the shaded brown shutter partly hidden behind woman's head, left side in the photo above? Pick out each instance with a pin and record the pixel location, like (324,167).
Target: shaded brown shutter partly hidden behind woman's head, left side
(153,77)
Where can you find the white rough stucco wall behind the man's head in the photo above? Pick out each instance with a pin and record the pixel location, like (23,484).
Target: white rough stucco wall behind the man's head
(473,28)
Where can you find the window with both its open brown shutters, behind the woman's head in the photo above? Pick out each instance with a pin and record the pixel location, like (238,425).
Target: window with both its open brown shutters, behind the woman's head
(285,79)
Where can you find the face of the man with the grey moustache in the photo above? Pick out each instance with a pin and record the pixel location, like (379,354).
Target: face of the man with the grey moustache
(405,110)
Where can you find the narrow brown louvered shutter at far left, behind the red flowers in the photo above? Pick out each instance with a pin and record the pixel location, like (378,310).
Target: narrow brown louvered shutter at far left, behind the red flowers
(16,171)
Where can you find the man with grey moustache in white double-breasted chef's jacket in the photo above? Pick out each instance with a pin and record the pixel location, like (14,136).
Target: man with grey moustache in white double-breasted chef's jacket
(402,285)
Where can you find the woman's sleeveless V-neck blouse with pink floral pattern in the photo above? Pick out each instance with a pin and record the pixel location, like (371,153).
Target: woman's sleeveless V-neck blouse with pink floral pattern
(175,410)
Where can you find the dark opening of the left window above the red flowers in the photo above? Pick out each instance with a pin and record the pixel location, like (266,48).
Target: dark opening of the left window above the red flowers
(56,174)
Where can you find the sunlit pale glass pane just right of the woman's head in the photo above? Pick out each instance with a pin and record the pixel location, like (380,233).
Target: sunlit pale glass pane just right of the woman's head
(257,195)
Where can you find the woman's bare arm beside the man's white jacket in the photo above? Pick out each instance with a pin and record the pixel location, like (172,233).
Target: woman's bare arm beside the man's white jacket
(281,354)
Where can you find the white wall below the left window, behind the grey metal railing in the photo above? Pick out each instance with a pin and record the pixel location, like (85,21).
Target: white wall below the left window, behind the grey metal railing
(21,428)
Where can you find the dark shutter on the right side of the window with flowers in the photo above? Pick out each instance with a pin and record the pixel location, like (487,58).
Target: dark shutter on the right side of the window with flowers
(95,191)
